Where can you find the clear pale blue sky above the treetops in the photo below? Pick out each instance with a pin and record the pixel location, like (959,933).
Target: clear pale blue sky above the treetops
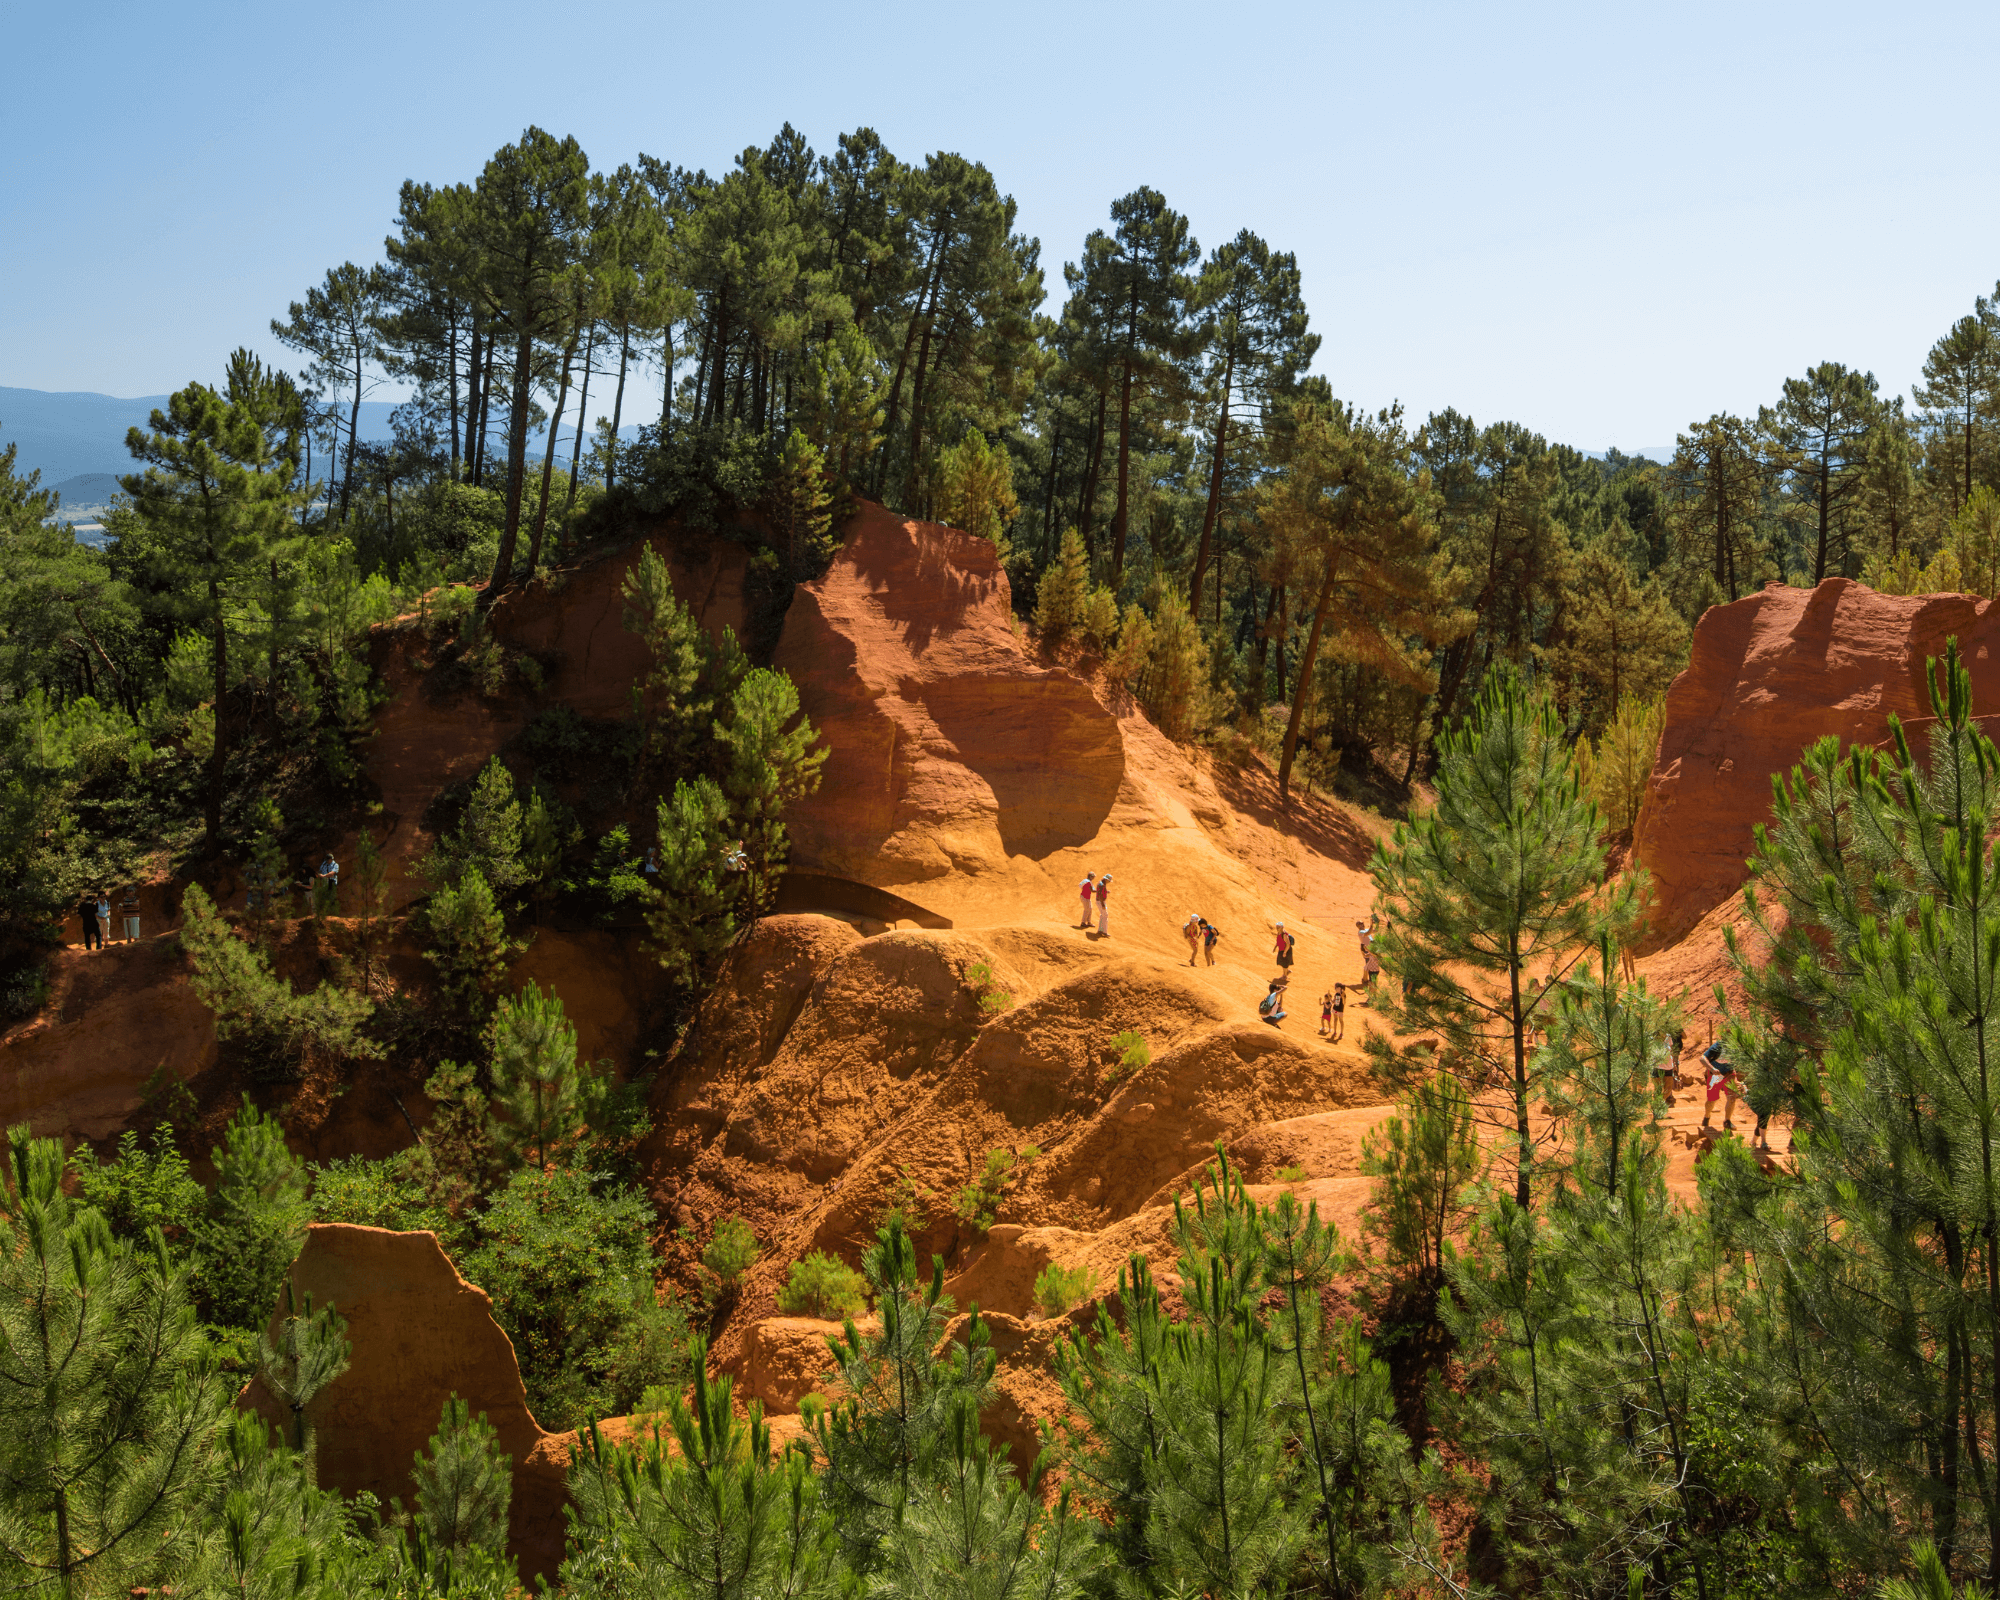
(1603,221)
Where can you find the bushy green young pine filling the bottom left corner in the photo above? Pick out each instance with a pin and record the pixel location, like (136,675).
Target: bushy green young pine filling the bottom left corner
(107,1395)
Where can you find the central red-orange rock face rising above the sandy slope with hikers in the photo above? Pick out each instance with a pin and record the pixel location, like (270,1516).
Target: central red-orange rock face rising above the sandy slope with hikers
(951,747)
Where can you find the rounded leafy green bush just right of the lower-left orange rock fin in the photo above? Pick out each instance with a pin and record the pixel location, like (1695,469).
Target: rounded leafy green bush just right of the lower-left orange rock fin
(571,1277)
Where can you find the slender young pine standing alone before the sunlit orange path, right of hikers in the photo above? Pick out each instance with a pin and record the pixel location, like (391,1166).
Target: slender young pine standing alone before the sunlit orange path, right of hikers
(1495,885)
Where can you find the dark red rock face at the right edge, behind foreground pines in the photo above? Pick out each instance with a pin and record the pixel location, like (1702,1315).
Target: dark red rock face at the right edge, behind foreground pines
(1767,679)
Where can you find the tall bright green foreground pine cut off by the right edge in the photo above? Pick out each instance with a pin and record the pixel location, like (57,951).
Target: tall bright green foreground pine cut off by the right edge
(1875,1027)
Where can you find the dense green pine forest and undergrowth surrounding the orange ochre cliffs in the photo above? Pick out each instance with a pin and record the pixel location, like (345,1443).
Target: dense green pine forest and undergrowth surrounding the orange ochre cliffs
(1533,1375)
